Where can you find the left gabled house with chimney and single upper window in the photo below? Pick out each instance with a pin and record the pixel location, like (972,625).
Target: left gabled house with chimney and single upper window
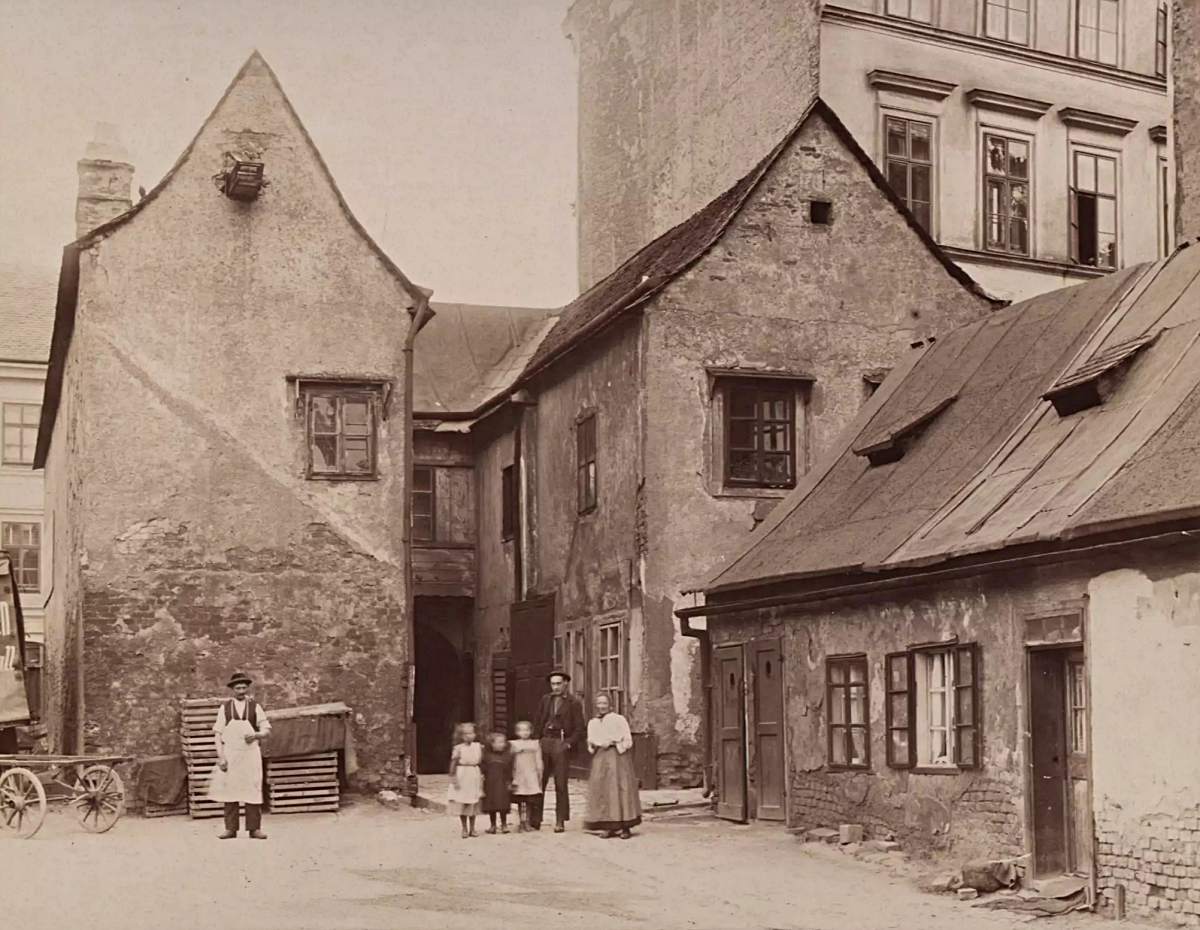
(224,443)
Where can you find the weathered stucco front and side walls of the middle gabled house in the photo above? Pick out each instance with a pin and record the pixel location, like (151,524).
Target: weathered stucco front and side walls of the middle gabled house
(818,307)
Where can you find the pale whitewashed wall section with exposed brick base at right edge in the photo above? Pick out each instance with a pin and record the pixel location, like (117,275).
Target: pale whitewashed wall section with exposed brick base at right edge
(1145,658)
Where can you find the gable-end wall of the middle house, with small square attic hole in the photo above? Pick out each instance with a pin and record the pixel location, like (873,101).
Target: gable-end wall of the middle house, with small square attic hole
(777,293)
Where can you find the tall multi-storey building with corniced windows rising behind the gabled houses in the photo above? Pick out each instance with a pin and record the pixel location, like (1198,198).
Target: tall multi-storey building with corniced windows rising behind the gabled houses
(1030,137)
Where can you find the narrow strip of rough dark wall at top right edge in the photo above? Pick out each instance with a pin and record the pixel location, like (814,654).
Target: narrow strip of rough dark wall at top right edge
(1186,107)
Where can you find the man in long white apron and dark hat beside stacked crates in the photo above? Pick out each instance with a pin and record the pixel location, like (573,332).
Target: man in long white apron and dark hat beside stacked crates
(238,779)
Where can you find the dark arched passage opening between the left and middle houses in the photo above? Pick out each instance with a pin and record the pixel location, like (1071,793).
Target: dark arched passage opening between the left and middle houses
(442,698)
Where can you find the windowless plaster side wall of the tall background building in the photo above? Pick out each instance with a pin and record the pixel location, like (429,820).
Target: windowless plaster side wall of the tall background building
(679,99)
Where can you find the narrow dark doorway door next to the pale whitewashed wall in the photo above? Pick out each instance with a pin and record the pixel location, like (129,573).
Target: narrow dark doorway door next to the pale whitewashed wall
(1063,821)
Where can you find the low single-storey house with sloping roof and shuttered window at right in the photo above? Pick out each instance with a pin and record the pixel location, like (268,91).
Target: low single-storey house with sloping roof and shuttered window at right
(968,626)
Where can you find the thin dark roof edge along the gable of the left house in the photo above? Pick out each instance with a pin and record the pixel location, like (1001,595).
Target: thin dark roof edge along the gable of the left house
(69,274)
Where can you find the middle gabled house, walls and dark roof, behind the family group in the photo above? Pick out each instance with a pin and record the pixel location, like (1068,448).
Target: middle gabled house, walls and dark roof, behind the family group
(669,407)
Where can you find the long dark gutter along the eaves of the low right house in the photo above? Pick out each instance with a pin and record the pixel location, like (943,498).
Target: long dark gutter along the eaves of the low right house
(911,578)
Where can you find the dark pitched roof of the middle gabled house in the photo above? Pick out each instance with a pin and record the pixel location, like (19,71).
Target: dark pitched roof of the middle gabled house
(657,265)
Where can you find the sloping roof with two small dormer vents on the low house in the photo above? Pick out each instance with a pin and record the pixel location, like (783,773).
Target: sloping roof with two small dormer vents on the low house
(1000,467)
